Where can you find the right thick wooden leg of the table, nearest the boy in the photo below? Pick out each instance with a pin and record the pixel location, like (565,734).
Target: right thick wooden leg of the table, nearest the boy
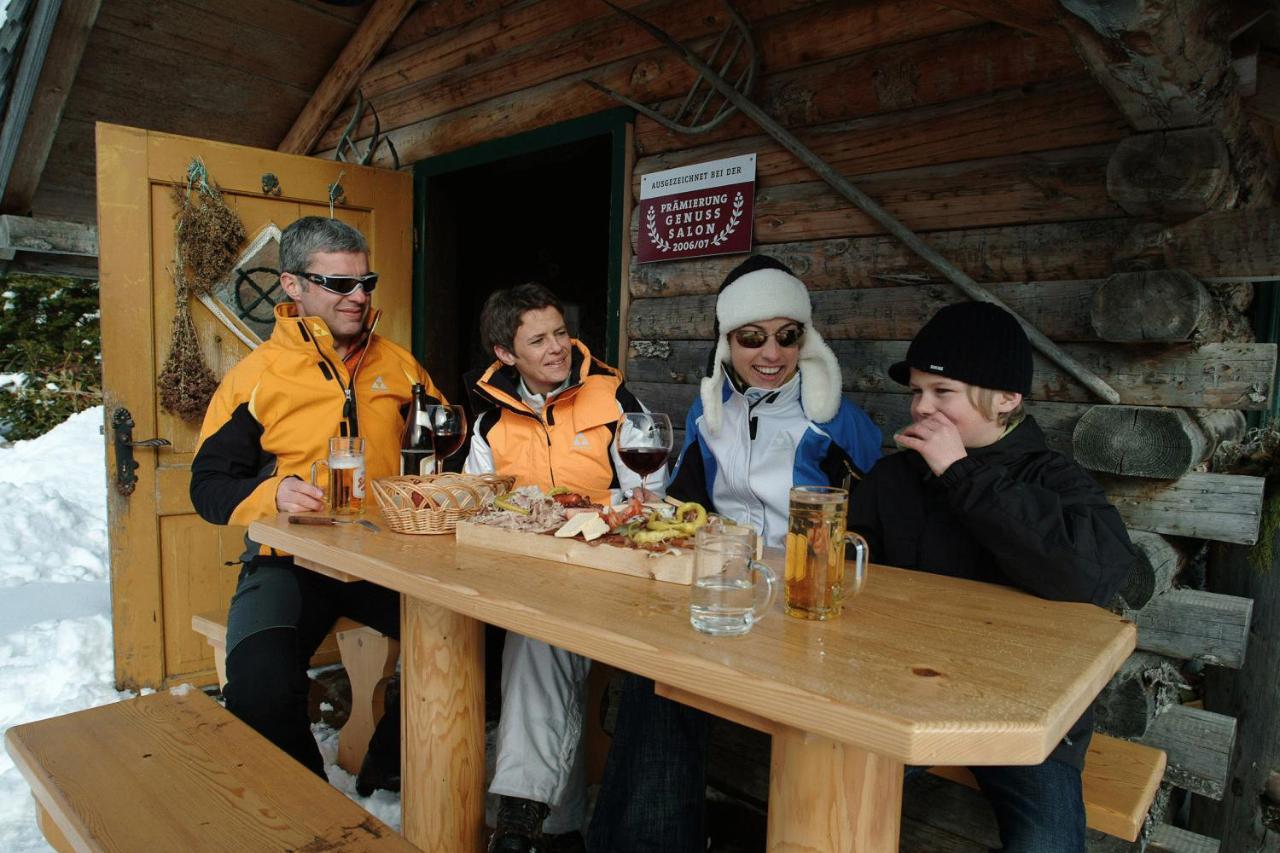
(828,796)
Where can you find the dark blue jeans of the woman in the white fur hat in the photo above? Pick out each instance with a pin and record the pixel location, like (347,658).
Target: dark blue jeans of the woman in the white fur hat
(653,797)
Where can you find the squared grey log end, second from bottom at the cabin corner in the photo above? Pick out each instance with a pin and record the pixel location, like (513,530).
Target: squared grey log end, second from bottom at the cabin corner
(1199,745)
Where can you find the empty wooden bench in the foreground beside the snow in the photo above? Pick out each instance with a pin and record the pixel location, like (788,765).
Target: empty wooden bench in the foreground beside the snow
(176,772)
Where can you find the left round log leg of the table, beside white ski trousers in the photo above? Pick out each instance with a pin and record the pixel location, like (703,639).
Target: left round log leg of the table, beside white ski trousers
(442,686)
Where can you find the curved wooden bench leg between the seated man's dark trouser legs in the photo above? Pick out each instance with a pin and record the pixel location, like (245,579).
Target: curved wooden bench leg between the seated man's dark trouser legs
(369,659)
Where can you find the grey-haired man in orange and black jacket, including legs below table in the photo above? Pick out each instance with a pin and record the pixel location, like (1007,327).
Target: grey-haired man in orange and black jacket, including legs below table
(324,373)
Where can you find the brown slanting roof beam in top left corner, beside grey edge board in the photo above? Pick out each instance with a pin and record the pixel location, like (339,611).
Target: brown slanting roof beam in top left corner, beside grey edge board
(62,62)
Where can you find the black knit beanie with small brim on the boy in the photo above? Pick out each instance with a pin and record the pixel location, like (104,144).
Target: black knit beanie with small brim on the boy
(972,343)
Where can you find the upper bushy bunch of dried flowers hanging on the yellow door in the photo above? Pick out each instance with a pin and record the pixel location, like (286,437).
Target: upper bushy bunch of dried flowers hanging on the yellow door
(209,234)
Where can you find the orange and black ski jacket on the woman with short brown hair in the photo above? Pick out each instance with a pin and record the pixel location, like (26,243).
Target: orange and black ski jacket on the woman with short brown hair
(569,444)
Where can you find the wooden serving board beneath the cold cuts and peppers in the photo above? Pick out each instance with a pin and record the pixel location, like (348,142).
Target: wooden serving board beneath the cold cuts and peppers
(545,546)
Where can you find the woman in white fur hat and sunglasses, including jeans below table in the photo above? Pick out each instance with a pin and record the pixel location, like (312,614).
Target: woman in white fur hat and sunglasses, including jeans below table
(770,416)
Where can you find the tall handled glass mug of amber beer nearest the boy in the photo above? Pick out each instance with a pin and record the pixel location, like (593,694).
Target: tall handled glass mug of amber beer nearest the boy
(819,578)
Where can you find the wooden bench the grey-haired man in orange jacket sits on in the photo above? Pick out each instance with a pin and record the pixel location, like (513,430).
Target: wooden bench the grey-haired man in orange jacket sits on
(369,659)
